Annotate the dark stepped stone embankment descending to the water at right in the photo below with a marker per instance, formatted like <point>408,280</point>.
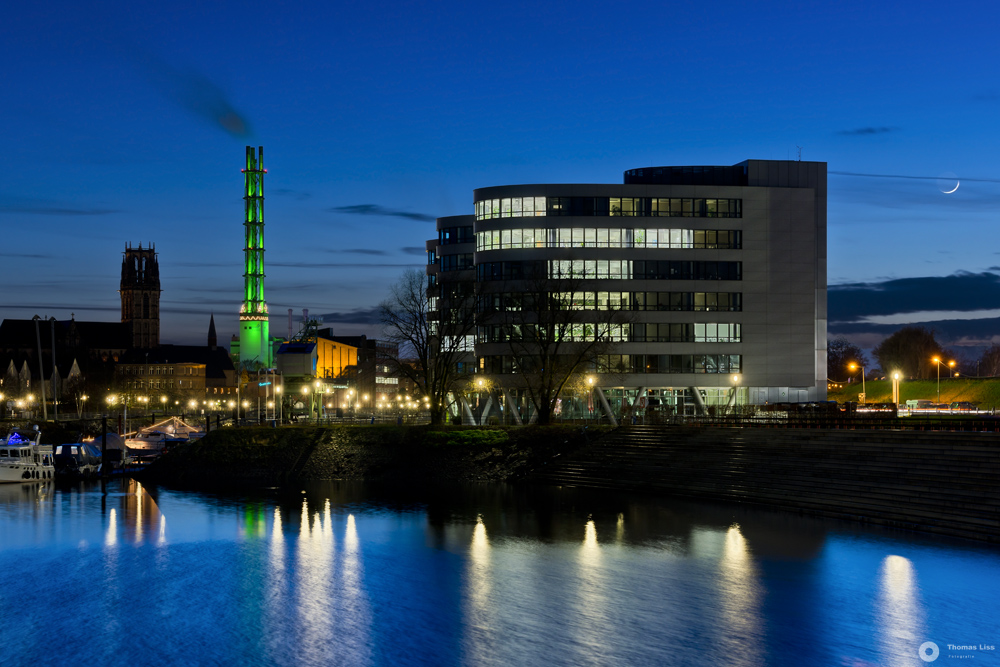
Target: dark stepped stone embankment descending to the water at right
<point>939,482</point>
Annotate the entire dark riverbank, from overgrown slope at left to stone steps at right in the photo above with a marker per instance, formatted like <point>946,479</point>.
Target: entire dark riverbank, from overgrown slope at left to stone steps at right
<point>937,482</point>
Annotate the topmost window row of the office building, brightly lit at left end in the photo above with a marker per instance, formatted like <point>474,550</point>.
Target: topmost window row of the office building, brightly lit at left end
<point>672,207</point>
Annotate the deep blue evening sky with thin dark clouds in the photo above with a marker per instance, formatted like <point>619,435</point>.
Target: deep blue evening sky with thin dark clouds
<point>112,133</point>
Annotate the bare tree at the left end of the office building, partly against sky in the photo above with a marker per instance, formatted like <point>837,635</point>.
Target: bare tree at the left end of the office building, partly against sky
<point>431,344</point>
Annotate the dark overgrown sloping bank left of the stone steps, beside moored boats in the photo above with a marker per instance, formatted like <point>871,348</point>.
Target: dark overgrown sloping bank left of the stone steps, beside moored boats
<point>240,457</point>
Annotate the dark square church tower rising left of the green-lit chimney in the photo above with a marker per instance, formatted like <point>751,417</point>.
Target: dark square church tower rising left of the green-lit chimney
<point>140,293</point>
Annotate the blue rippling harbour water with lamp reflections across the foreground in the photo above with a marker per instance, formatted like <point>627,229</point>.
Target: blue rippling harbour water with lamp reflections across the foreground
<point>355,574</point>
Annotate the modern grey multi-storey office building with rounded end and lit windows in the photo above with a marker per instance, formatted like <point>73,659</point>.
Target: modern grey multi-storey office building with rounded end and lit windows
<point>699,286</point>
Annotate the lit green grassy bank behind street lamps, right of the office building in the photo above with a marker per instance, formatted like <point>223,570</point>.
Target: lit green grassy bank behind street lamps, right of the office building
<point>984,392</point>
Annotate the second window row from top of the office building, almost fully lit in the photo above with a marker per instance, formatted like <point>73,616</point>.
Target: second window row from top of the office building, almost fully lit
<point>584,237</point>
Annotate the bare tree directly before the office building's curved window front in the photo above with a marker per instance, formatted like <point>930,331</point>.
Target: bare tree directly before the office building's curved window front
<point>553,332</point>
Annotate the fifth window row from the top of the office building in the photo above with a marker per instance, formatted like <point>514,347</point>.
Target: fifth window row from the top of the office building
<point>709,332</point>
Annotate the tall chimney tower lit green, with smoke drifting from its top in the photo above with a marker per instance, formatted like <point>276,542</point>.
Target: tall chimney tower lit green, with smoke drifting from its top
<point>255,348</point>
